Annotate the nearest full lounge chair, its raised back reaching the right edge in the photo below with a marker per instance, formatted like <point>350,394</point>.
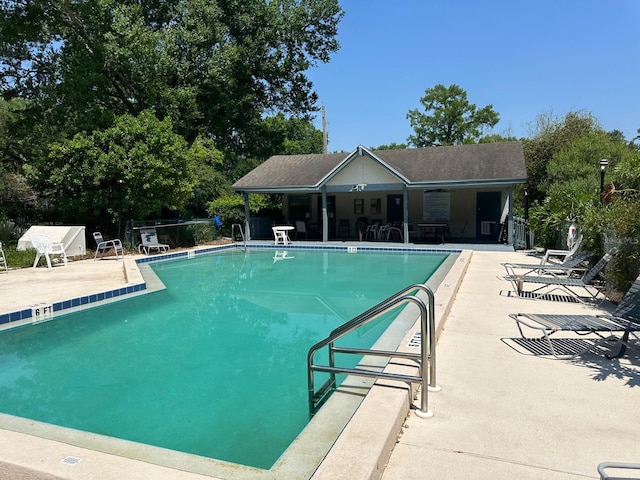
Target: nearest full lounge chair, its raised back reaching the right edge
<point>625,319</point>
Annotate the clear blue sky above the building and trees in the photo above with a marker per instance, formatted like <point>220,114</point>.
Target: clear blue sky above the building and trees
<point>525,58</point>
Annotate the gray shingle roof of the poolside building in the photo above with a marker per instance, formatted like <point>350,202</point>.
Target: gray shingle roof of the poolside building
<point>487,163</point>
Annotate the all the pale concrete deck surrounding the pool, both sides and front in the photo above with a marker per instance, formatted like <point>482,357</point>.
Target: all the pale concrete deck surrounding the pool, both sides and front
<point>502,412</point>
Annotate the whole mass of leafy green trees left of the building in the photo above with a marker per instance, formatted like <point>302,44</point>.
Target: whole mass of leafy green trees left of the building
<point>80,80</point>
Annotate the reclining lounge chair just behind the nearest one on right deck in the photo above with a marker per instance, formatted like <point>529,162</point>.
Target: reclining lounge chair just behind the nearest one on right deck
<point>568,284</point>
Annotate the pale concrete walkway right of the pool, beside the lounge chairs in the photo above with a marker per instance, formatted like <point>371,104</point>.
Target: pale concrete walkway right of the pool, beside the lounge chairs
<point>506,414</point>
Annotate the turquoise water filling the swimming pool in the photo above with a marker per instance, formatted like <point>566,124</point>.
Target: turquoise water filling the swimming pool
<point>215,365</point>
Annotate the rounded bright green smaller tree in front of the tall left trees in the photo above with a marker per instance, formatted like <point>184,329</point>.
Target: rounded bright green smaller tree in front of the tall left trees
<point>132,170</point>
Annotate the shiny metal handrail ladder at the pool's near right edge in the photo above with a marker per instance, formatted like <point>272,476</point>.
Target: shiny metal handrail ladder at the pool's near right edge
<point>426,359</point>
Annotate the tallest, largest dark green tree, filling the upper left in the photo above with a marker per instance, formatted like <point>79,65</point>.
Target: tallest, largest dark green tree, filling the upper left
<point>212,67</point>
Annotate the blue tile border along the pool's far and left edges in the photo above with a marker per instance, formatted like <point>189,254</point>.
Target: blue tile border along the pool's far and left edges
<point>87,300</point>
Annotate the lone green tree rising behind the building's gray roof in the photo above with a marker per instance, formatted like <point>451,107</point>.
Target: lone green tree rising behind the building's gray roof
<point>449,118</point>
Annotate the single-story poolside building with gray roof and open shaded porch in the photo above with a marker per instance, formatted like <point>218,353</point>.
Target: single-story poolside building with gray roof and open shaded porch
<point>458,193</point>
